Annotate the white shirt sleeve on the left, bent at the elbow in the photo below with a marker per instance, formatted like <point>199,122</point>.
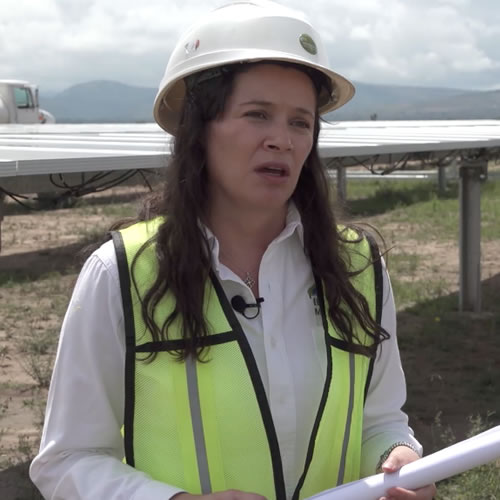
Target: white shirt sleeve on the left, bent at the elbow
<point>81,450</point>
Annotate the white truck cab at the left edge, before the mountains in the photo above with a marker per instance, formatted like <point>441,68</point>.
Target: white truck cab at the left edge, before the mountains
<point>19,103</point>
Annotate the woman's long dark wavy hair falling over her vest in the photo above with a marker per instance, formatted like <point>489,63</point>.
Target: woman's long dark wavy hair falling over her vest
<point>182,250</point>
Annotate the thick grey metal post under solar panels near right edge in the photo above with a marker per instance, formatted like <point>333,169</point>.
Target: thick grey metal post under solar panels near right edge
<point>471,176</point>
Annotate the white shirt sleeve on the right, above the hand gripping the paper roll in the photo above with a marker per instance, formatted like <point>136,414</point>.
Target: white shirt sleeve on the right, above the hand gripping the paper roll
<point>384,421</point>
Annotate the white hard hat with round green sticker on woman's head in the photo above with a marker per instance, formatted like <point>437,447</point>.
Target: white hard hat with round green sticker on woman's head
<point>244,32</point>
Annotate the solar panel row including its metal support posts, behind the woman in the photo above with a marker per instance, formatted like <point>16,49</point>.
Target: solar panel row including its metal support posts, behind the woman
<point>29,151</point>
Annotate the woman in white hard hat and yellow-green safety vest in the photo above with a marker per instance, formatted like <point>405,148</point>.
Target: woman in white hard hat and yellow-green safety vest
<point>257,337</point>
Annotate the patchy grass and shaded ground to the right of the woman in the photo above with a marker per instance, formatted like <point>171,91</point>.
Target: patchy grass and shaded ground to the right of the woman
<point>413,217</point>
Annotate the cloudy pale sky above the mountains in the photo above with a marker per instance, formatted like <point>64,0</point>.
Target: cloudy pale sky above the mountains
<point>433,43</point>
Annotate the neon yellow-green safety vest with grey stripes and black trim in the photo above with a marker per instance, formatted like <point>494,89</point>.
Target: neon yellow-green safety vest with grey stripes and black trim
<point>207,426</point>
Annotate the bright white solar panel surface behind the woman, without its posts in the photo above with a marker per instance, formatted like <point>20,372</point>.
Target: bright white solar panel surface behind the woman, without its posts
<point>32,146</point>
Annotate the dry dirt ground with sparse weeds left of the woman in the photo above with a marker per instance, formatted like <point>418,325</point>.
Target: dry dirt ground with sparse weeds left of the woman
<point>36,244</point>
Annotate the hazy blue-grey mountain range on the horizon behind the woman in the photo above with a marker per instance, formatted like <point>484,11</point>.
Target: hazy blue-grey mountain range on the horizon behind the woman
<point>109,101</point>
